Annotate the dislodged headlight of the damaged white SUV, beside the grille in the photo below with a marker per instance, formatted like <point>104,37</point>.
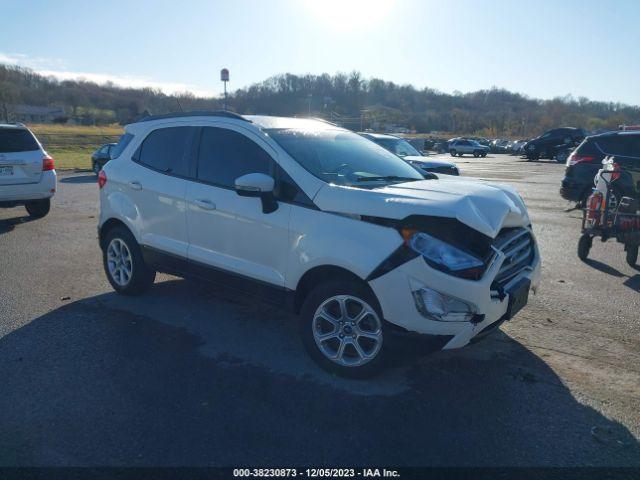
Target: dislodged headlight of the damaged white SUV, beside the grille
<point>446,257</point>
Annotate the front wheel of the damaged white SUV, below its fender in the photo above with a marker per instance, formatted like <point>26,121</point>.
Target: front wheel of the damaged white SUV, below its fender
<point>342,329</point>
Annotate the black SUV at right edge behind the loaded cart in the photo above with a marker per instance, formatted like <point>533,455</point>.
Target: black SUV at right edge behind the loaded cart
<point>586,160</point>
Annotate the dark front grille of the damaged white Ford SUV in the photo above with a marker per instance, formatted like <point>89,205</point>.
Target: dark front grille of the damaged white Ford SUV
<point>517,246</point>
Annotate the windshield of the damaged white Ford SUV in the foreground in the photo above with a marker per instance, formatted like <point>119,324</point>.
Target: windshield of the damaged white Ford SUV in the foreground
<point>343,158</point>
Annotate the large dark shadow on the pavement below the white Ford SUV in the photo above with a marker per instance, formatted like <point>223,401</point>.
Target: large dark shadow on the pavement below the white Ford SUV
<point>188,375</point>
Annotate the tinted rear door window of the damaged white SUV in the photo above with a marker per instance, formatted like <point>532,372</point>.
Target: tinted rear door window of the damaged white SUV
<point>165,150</point>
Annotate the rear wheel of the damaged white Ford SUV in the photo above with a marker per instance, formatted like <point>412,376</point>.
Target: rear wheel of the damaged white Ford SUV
<point>124,265</point>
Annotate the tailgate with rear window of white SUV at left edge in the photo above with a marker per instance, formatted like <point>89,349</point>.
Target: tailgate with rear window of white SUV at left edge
<point>20,157</point>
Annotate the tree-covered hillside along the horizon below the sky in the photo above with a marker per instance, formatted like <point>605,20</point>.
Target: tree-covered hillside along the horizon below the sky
<point>350,100</point>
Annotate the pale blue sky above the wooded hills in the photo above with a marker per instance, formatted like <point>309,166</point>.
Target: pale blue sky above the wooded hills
<point>539,48</point>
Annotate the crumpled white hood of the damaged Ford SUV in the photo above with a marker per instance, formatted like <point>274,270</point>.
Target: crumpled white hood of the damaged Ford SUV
<point>482,206</point>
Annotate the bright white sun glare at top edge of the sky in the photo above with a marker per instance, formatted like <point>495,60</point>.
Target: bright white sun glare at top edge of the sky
<point>350,14</point>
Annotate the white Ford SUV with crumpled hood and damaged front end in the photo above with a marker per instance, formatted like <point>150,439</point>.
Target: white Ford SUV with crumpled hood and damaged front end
<point>320,220</point>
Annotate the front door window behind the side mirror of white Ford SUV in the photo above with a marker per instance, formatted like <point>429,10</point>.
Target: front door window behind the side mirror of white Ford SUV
<point>225,155</point>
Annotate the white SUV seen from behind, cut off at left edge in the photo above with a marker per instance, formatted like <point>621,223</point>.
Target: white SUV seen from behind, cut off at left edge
<point>27,172</point>
